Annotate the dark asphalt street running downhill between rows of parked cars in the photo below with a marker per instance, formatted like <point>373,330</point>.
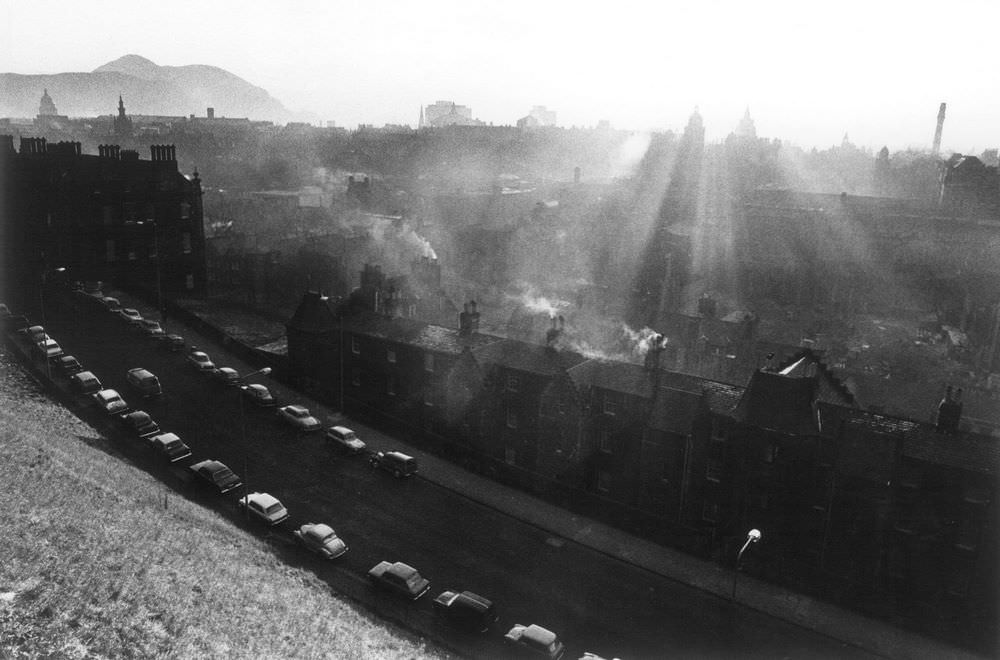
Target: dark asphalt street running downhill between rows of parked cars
<point>593,602</point>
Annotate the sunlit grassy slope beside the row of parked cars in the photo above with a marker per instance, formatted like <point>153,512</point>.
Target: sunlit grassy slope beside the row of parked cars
<point>93,566</point>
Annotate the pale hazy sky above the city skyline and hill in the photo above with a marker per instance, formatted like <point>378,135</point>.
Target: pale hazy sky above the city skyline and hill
<point>809,71</point>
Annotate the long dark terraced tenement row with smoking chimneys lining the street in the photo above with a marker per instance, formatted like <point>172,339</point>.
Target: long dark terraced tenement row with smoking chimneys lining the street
<point>886,514</point>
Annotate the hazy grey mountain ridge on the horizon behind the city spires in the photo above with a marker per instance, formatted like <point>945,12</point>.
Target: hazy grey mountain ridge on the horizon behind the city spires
<point>147,89</point>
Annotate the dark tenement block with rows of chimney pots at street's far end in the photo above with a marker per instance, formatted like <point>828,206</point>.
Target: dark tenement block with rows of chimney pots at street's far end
<point>108,217</point>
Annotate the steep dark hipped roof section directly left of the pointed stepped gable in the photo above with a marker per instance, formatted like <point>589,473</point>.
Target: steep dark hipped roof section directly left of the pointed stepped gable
<point>780,403</point>
